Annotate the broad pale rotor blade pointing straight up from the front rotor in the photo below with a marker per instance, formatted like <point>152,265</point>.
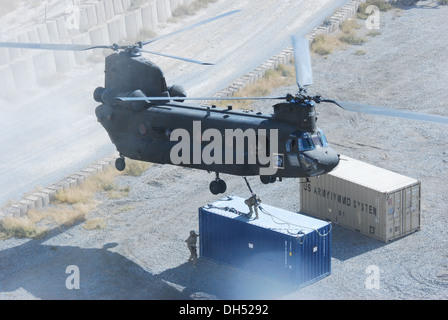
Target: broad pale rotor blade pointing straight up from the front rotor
<point>302,61</point>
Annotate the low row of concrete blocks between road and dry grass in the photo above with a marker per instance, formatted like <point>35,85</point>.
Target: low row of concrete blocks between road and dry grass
<point>44,197</point>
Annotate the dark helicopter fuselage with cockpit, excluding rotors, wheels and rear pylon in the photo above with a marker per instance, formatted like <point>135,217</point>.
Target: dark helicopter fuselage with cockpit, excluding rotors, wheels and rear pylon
<point>238,142</point>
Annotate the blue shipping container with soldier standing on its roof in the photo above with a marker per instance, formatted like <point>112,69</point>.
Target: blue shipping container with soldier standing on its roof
<point>280,244</point>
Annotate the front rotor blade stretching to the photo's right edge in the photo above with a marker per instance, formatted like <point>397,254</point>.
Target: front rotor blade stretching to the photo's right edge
<point>357,107</point>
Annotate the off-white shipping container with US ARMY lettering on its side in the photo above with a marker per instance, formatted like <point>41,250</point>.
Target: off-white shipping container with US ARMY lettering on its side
<point>374,201</point>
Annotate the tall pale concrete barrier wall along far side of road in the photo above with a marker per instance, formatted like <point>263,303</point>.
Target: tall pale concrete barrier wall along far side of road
<point>102,23</point>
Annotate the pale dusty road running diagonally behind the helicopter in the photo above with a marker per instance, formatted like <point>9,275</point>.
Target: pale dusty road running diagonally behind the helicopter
<point>52,132</point>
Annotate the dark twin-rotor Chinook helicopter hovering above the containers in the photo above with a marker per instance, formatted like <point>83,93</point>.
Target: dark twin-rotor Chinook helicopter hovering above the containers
<point>149,121</point>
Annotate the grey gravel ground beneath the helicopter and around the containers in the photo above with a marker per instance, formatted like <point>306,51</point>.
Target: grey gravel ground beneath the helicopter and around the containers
<point>141,253</point>
